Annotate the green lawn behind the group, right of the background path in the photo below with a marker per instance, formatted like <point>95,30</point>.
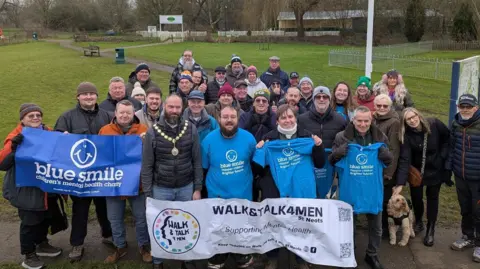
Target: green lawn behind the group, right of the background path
<point>306,59</point>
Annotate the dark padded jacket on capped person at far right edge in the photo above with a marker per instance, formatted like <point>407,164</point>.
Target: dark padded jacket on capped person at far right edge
<point>464,157</point>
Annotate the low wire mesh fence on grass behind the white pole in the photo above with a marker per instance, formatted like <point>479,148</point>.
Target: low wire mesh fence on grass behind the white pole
<point>409,66</point>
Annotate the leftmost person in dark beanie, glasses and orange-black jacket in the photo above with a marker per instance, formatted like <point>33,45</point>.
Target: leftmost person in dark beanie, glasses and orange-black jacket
<point>32,203</point>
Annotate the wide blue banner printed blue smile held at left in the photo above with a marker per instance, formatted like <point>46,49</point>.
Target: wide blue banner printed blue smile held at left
<point>80,165</point>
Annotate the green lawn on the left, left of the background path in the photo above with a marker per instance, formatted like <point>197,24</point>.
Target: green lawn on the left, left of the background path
<point>48,75</point>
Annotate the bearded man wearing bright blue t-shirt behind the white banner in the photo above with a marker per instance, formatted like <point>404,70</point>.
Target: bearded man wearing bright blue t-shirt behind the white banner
<point>226,155</point>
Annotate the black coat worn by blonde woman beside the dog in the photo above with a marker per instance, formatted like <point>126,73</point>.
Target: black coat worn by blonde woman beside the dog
<point>411,152</point>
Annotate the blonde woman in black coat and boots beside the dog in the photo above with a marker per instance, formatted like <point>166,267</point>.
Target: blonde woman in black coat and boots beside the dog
<point>423,137</point>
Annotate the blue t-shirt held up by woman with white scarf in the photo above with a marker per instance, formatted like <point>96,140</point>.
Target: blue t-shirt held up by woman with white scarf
<point>291,166</point>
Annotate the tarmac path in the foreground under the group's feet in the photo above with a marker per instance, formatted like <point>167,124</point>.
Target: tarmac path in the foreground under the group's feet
<point>414,256</point>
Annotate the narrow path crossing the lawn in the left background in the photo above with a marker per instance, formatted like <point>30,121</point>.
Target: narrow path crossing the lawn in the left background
<point>109,53</point>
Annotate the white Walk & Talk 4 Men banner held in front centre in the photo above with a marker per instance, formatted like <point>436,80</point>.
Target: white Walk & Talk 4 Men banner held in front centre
<point>319,231</point>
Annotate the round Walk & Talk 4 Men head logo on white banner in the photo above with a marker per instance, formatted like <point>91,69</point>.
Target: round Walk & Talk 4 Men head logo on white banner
<point>176,231</point>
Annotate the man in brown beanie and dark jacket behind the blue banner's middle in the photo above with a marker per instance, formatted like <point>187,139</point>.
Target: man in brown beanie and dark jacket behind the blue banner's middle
<point>85,118</point>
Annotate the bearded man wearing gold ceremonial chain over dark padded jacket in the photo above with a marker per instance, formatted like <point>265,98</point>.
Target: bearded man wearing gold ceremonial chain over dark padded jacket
<point>172,164</point>
